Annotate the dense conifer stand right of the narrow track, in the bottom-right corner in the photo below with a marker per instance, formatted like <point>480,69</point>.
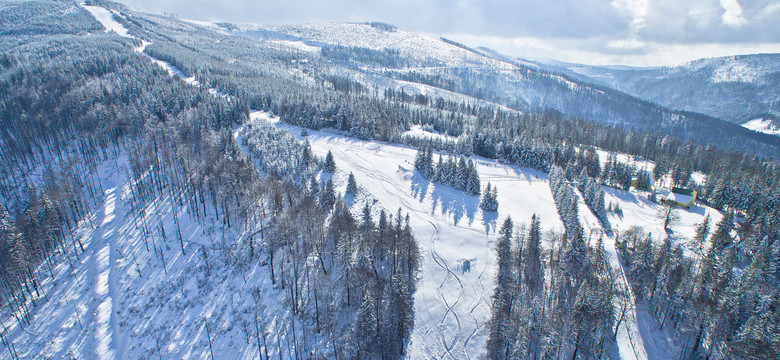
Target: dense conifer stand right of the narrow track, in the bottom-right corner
<point>717,311</point>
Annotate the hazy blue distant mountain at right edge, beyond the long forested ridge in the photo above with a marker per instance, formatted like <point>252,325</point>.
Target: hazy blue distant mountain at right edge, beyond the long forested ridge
<point>738,89</point>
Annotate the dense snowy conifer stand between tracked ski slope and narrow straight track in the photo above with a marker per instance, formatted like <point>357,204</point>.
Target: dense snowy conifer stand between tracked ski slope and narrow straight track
<point>550,305</point>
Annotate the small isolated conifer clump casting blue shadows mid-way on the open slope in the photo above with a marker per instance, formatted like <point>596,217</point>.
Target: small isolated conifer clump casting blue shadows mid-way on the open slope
<point>460,174</point>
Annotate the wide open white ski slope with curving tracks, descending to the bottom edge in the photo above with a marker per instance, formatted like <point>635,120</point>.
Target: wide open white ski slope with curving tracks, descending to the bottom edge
<point>451,307</point>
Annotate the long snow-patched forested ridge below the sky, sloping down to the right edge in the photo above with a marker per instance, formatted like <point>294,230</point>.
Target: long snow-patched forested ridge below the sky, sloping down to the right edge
<point>381,53</point>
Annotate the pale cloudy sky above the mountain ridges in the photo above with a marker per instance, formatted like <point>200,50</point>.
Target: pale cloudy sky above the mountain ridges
<point>628,32</point>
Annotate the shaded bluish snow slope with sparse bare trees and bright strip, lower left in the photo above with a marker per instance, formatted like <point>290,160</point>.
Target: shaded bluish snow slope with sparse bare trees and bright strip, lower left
<point>135,296</point>
